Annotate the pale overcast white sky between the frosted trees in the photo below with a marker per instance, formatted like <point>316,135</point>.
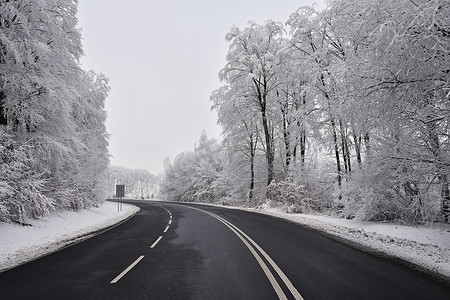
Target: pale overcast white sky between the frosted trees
<point>162,58</point>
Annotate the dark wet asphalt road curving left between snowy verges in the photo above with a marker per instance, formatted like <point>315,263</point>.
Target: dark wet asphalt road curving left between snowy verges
<point>180,251</point>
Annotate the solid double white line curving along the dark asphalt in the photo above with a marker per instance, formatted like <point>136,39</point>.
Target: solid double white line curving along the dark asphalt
<point>247,241</point>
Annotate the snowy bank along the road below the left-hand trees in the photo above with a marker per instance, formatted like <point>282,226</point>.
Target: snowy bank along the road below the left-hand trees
<point>20,244</point>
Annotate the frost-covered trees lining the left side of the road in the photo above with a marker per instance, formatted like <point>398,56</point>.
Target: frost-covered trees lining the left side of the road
<point>53,140</point>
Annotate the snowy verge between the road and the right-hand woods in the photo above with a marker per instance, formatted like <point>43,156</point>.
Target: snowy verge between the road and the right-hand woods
<point>426,246</point>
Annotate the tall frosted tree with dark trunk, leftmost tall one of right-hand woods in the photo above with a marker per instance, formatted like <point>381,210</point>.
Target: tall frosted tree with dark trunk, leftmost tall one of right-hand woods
<point>253,58</point>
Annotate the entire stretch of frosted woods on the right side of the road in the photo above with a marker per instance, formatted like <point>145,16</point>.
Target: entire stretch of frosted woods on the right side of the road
<point>341,111</point>
